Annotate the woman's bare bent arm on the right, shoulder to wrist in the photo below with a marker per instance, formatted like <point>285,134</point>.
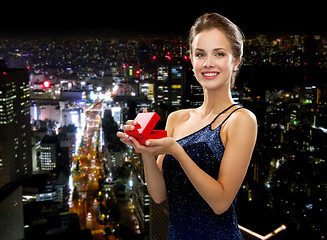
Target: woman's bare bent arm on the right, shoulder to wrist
<point>240,140</point>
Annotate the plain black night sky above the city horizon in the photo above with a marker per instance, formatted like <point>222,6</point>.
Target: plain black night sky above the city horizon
<point>161,17</point>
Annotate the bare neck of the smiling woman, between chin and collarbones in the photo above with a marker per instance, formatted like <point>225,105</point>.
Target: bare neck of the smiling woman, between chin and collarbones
<point>216,101</point>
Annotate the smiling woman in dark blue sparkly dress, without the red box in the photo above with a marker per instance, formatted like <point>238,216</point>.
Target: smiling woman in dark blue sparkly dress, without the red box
<point>204,159</point>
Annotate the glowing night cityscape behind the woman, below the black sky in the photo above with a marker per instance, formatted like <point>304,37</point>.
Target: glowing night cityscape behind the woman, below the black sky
<point>79,92</point>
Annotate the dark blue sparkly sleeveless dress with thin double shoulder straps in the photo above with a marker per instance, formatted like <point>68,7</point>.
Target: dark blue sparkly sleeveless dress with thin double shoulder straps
<point>190,217</point>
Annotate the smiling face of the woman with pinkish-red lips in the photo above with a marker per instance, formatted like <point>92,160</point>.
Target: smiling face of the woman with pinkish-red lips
<point>212,59</point>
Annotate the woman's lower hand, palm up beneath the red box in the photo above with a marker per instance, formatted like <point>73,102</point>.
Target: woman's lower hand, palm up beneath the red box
<point>155,147</point>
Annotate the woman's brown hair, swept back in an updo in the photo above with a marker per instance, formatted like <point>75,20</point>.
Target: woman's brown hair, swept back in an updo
<point>214,20</point>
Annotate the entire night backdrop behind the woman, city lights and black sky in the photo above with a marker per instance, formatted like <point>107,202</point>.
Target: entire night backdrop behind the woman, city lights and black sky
<point>71,75</point>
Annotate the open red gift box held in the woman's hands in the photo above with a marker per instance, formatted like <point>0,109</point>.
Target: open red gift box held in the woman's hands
<point>144,128</point>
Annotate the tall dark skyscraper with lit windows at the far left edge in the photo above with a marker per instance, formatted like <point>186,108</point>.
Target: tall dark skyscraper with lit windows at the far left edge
<point>15,130</point>
